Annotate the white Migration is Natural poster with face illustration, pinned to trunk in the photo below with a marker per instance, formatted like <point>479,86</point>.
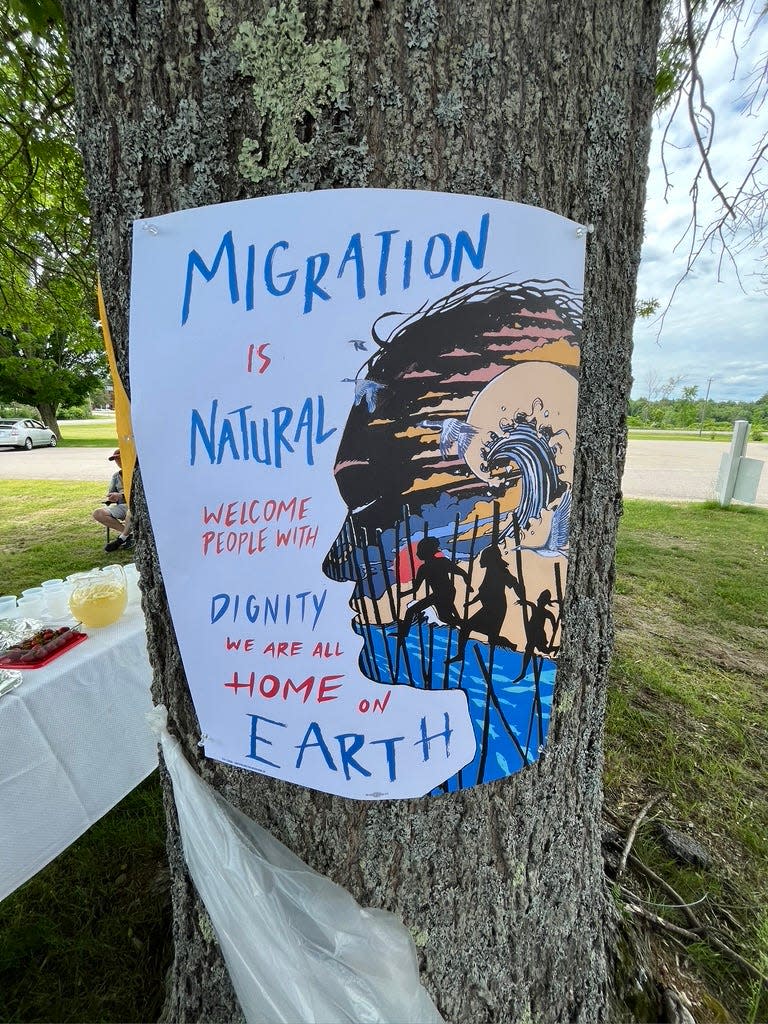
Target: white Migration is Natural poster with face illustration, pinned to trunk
<point>355,414</point>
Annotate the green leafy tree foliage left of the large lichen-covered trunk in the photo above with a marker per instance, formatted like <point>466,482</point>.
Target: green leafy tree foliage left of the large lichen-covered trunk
<point>51,350</point>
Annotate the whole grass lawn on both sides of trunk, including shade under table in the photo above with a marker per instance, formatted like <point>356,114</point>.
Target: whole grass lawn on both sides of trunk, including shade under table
<point>88,938</point>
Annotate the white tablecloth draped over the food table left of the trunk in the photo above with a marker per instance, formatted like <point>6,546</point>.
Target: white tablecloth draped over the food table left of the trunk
<point>73,743</point>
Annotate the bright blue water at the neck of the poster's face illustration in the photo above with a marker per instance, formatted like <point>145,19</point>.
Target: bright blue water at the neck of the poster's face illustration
<point>510,720</point>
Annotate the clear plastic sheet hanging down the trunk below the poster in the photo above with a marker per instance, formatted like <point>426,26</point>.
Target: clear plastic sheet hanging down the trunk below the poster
<point>298,948</point>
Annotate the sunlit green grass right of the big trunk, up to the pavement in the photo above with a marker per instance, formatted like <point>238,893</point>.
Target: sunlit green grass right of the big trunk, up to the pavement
<point>689,718</point>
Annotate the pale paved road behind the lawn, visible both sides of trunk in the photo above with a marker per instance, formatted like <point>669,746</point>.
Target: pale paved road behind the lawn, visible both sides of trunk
<point>664,471</point>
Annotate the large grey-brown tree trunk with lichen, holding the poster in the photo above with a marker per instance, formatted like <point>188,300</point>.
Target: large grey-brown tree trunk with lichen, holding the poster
<point>543,104</point>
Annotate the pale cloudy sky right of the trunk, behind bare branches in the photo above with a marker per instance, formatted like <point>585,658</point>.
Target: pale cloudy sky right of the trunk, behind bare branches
<point>714,329</point>
